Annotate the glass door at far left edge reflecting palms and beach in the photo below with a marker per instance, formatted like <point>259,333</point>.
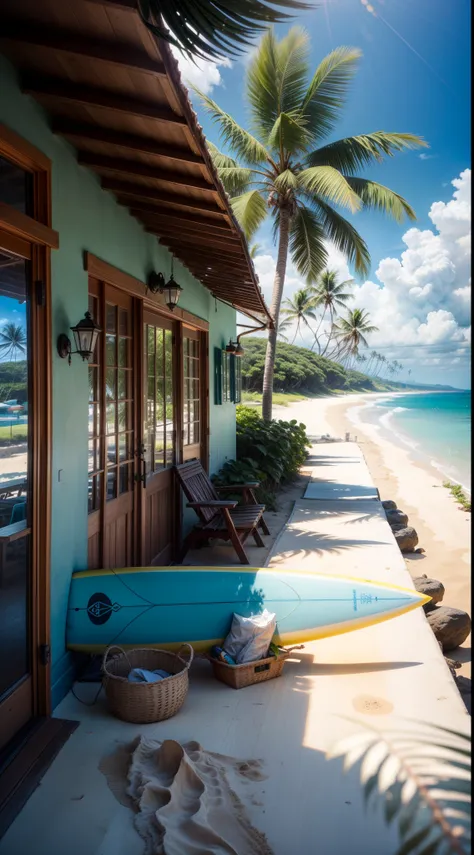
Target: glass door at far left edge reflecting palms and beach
<point>16,583</point>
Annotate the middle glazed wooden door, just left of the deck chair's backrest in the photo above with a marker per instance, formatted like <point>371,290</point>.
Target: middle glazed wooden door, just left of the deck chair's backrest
<point>161,417</point>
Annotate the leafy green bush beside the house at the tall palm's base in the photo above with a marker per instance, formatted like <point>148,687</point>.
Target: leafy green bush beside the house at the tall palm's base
<point>268,452</point>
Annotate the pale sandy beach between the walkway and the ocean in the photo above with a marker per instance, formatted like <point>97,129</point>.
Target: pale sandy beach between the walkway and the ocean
<point>443,528</point>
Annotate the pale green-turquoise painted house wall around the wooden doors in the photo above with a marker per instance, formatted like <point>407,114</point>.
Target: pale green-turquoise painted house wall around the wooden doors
<point>88,218</point>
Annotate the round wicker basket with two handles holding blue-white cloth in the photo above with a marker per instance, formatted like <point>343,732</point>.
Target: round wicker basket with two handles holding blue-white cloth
<point>144,703</point>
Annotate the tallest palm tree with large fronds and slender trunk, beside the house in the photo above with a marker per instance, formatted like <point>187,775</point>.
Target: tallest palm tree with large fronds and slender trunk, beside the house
<point>283,169</point>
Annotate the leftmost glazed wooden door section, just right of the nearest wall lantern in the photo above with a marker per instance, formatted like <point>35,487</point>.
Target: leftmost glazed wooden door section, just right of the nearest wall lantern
<point>112,423</point>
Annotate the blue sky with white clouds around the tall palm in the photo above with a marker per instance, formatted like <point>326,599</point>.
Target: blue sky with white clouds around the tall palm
<point>413,77</point>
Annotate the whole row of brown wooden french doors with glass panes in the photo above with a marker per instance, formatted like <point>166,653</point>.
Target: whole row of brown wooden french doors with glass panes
<point>147,412</point>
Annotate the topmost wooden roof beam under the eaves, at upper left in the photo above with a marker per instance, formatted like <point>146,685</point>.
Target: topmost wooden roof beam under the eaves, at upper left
<point>63,41</point>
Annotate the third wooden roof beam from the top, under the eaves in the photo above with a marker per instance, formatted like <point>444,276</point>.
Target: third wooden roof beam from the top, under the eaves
<point>130,142</point>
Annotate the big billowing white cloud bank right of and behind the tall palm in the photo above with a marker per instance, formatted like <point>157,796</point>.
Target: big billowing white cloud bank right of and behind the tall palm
<point>421,298</point>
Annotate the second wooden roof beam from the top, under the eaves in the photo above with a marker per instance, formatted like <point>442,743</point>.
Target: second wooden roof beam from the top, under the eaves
<point>57,90</point>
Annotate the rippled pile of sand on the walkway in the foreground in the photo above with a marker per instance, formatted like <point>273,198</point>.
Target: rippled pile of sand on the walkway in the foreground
<point>182,798</point>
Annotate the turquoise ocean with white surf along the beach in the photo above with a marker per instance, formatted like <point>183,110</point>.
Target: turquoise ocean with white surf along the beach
<point>435,425</point>
